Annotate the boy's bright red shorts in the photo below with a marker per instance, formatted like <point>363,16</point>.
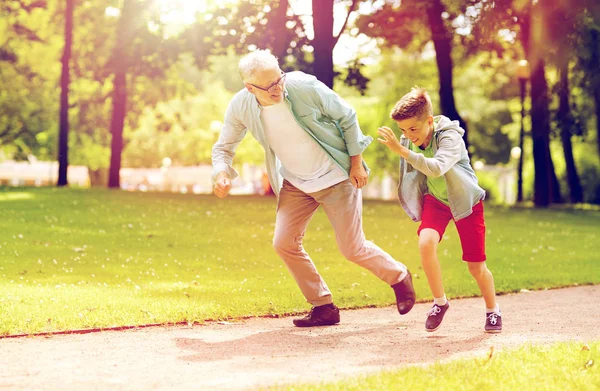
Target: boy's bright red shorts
<point>471,229</point>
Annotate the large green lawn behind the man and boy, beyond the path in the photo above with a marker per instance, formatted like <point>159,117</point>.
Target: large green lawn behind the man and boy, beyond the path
<point>73,258</point>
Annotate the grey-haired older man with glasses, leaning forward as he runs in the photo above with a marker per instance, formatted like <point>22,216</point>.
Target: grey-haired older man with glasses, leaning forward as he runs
<point>313,151</point>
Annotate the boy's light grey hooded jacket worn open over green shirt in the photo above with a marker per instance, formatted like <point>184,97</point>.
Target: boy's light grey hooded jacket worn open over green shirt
<point>451,160</point>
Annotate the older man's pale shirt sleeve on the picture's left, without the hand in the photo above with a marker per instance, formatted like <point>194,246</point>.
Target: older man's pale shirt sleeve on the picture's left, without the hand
<point>232,133</point>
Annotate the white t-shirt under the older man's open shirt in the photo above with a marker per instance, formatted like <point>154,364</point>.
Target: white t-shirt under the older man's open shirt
<point>304,162</point>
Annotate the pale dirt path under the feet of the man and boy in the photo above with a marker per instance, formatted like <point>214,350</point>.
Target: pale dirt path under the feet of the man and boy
<point>264,352</point>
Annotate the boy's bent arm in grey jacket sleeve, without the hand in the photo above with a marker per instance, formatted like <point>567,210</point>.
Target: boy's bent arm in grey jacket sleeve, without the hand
<point>448,154</point>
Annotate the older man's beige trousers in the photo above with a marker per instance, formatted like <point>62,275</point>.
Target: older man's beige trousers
<point>343,205</point>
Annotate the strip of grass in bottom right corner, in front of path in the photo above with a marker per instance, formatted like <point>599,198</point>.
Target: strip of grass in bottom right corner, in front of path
<point>564,366</point>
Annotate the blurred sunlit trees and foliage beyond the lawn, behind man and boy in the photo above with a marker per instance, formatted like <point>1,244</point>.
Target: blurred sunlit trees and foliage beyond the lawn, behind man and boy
<point>130,94</point>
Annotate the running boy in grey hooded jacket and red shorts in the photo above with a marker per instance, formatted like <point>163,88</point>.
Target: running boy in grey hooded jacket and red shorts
<point>437,184</point>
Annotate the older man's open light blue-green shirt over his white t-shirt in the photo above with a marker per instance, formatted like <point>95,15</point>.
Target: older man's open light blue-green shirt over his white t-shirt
<point>318,110</point>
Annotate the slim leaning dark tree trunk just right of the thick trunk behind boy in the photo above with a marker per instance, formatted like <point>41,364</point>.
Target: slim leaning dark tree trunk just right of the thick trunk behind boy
<point>565,120</point>
